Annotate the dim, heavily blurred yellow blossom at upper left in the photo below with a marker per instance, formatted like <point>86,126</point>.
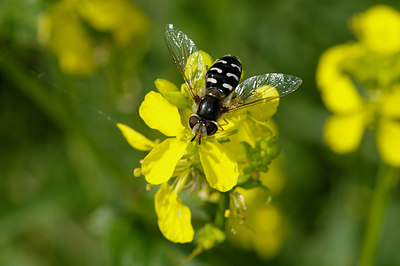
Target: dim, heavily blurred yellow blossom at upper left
<point>64,31</point>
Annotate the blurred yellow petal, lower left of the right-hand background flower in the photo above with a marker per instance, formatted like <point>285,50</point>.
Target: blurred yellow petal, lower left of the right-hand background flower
<point>343,133</point>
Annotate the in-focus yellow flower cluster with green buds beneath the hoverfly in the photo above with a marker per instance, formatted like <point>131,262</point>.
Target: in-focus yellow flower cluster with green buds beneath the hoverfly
<point>207,171</point>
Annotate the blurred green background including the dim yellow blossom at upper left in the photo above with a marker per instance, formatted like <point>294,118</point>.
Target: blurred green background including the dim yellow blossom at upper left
<point>68,196</point>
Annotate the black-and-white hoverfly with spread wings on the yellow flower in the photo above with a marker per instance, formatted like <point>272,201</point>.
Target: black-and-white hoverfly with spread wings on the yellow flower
<point>217,90</point>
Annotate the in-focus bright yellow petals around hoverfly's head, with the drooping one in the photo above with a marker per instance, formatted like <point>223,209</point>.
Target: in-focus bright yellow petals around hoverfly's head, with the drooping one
<point>159,165</point>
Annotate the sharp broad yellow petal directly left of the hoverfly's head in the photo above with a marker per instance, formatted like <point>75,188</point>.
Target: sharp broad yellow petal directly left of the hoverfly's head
<point>159,114</point>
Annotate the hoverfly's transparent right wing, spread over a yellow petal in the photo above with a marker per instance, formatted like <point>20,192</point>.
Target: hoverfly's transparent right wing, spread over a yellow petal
<point>261,89</point>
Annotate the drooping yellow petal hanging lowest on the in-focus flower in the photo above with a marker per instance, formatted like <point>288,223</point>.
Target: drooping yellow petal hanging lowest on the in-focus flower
<point>173,216</point>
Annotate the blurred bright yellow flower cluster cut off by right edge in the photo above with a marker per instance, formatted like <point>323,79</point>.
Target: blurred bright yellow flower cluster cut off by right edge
<point>360,84</point>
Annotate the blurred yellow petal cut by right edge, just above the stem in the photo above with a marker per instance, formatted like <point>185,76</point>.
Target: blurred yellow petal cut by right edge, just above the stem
<point>388,140</point>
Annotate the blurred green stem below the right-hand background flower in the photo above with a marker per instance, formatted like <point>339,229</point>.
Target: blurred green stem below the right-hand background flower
<point>384,183</point>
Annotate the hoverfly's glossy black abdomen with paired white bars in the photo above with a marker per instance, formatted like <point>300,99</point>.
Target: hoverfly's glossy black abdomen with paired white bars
<point>224,75</point>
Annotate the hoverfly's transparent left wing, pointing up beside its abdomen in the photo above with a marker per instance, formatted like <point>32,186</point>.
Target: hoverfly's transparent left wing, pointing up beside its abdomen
<point>187,58</point>
